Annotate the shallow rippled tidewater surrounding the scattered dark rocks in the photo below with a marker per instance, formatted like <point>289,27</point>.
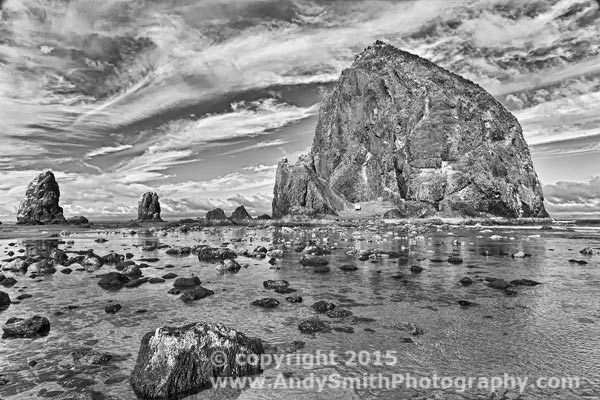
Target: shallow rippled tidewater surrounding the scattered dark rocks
<point>544,331</point>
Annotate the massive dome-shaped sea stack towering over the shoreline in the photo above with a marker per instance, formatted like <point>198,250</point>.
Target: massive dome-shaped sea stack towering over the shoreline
<point>399,128</point>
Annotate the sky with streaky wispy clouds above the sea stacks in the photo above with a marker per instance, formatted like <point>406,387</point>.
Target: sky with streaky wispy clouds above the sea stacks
<point>198,99</point>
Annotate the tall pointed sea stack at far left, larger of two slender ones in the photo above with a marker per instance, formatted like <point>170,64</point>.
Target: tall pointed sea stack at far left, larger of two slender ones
<point>40,205</point>
